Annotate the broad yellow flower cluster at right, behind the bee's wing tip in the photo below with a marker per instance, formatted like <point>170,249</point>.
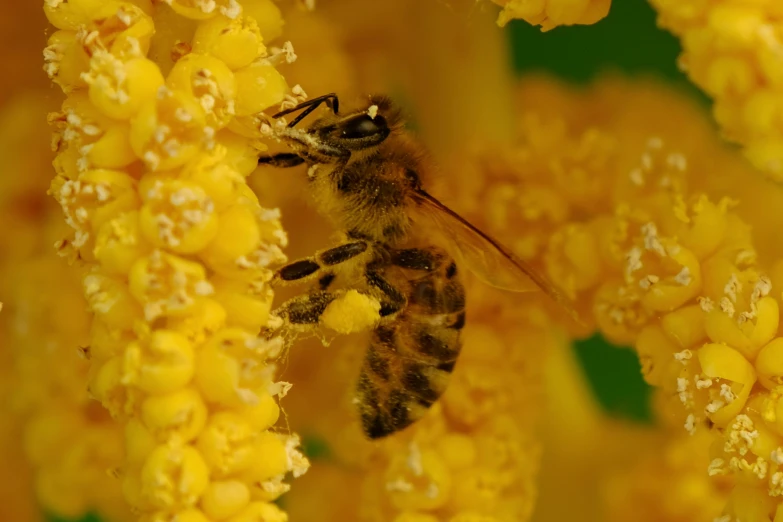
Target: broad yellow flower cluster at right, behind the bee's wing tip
<point>663,263</point>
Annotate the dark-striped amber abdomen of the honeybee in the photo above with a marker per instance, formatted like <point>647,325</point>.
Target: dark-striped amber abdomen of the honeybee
<point>410,359</point>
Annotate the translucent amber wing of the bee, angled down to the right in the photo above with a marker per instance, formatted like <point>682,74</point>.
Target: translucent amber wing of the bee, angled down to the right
<point>486,258</point>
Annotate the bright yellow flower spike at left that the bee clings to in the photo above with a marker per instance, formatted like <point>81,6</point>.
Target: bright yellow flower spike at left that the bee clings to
<point>161,126</point>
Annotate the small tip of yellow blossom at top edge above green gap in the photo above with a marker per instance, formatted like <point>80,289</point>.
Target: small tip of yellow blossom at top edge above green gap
<point>553,13</point>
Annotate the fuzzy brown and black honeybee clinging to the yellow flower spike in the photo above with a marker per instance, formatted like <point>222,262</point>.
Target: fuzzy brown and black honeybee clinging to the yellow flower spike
<point>365,172</point>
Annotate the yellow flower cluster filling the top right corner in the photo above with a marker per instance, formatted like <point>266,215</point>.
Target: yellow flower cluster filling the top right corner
<point>734,51</point>
